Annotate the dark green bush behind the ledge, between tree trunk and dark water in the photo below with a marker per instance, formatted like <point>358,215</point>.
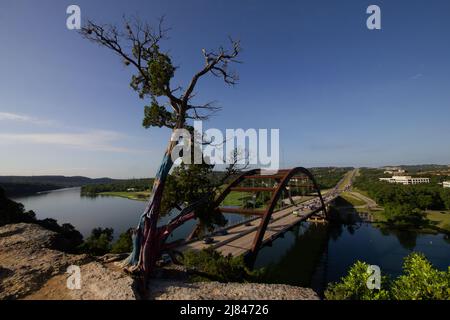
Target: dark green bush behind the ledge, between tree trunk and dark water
<point>212,265</point>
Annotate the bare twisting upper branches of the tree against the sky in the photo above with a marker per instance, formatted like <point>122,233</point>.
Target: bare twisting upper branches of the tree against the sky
<point>136,44</point>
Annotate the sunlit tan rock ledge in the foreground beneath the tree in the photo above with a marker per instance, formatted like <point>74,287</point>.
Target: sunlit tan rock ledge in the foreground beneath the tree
<point>32,267</point>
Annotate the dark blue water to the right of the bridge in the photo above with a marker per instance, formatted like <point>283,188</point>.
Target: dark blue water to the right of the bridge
<point>313,255</point>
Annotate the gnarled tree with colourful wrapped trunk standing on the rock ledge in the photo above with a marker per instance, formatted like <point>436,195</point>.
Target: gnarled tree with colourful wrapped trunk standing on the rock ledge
<point>138,45</point>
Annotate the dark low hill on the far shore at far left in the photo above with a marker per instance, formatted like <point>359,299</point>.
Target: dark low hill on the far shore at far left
<point>25,185</point>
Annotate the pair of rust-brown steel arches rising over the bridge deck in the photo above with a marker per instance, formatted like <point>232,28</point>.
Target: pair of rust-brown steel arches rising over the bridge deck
<point>284,176</point>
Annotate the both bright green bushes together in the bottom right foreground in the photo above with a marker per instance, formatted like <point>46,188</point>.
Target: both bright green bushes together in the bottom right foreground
<point>419,281</point>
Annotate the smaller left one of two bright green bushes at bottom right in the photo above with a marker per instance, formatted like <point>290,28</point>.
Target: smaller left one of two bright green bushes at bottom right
<point>354,286</point>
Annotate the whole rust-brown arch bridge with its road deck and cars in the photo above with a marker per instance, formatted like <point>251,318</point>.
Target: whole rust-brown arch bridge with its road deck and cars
<point>272,204</point>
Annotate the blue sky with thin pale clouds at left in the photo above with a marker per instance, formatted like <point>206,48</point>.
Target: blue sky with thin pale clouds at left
<point>339,93</point>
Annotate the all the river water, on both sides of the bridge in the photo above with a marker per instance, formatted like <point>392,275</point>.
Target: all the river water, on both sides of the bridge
<point>309,255</point>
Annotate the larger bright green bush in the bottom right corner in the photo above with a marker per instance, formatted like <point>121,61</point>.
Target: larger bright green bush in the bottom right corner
<point>421,281</point>
